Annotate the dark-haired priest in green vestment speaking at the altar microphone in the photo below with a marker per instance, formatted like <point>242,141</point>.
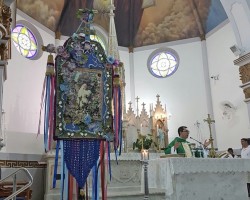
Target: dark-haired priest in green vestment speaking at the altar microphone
<point>179,145</point>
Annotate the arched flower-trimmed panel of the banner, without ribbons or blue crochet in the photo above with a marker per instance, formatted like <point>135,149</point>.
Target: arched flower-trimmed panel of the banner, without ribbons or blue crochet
<point>83,92</point>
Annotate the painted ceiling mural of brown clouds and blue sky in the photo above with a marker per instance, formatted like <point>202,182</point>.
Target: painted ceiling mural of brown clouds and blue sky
<point>138,22</point>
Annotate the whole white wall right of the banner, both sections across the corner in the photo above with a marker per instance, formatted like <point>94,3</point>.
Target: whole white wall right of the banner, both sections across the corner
<point>184,92</point>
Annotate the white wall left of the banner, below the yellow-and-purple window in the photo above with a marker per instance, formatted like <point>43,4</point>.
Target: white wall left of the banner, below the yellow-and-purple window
<point>22,97</point>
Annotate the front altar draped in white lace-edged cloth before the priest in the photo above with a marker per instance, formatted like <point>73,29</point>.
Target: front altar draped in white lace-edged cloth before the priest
<point>199,178</point>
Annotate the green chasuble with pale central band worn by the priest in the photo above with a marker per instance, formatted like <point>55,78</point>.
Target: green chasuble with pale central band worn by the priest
<point>183,147</point>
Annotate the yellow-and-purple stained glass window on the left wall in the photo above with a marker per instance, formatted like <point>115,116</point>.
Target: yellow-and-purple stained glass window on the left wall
<point>25,41</point>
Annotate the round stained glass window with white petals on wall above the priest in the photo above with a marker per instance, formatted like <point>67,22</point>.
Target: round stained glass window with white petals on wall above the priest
<point>163,62</point>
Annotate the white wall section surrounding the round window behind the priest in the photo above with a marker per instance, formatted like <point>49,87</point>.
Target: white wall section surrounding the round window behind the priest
<point>183,92</point>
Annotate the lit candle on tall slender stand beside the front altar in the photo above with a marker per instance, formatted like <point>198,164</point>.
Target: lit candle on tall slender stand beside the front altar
<point>145,158</point>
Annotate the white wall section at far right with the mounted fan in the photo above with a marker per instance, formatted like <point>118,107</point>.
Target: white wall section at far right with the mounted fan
<point>220,59</point>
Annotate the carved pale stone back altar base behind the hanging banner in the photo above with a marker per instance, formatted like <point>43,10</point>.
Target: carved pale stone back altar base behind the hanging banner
<point>126,176</point>
